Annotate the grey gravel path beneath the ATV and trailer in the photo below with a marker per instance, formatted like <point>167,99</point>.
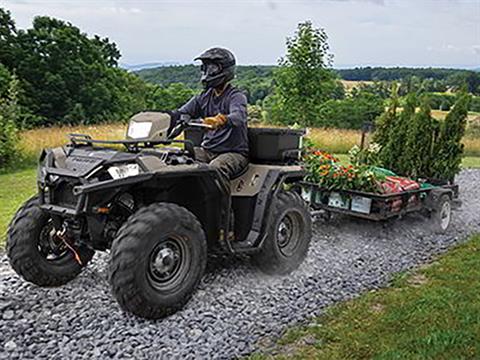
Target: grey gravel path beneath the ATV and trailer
<point>236,310</point>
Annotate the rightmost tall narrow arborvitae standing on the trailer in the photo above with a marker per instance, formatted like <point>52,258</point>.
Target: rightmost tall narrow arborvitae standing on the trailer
<point>448,149</point>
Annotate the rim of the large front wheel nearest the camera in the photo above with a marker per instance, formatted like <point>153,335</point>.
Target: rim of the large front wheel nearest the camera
<point>169,263</point>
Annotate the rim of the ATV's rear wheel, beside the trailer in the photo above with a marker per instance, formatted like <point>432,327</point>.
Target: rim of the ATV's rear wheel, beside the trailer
<point>289,232</point>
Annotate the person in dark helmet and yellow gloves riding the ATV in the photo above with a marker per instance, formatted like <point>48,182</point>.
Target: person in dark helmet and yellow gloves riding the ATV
<point>224,108</point>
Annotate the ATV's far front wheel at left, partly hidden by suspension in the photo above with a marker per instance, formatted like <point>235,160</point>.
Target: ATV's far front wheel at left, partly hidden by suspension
<point>36,253</point>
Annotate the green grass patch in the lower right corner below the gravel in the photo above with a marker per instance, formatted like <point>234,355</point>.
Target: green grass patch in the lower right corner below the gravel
<point>431,313</point>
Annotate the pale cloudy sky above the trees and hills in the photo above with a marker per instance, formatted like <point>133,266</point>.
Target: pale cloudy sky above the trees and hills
<point>361,32</point>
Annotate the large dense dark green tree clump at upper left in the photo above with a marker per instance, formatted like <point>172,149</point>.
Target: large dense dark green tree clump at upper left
<point>67,77</point>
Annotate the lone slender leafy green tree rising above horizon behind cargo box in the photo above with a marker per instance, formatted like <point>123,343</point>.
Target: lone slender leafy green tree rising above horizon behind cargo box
<point>303,79</point>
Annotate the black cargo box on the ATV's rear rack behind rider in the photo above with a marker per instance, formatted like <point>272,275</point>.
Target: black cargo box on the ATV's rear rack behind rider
<point>267,145</point>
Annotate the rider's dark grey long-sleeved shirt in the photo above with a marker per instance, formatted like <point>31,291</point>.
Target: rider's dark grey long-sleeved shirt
<point>233,103</point>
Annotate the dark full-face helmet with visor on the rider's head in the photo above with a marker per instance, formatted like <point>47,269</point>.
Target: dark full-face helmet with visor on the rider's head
<point>218,67</point>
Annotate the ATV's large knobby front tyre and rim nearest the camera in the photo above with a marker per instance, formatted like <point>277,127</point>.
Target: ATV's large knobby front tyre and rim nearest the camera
<point>157,260</point>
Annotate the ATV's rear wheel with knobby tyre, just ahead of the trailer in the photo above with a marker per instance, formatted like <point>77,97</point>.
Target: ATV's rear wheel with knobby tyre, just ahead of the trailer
<point>288,236</point>
